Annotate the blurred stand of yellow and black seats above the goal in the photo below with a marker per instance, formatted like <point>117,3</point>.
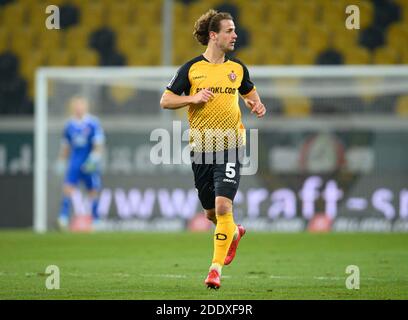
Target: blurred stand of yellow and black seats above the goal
<point>102,32</point>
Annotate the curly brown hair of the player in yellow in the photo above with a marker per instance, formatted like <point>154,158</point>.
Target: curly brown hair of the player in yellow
<point>209,21</point>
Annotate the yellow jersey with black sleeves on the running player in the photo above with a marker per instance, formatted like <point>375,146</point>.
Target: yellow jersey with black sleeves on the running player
<point>215,125</point>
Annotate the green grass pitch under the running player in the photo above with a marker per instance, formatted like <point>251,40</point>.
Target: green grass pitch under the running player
<point>174,266</point>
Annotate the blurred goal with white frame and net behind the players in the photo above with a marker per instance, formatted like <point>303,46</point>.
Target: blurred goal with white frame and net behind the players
<point>330,153</point>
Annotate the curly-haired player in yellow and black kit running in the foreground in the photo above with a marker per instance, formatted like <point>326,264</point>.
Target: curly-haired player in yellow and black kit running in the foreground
<point>212,84</point>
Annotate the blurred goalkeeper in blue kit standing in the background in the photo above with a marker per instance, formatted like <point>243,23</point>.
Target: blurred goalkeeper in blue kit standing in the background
<point>81,155</point>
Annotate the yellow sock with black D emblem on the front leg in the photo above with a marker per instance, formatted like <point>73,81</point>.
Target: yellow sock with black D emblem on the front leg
<point>223,235</point>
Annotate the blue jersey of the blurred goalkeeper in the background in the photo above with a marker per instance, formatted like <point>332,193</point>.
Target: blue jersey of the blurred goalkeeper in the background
<point>81,136</point>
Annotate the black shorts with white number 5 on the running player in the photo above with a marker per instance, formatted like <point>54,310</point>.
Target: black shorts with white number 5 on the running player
<point>216,174</point>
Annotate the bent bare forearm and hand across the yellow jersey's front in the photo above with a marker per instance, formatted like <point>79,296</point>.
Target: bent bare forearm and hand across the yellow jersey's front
<point>174,101</point>
